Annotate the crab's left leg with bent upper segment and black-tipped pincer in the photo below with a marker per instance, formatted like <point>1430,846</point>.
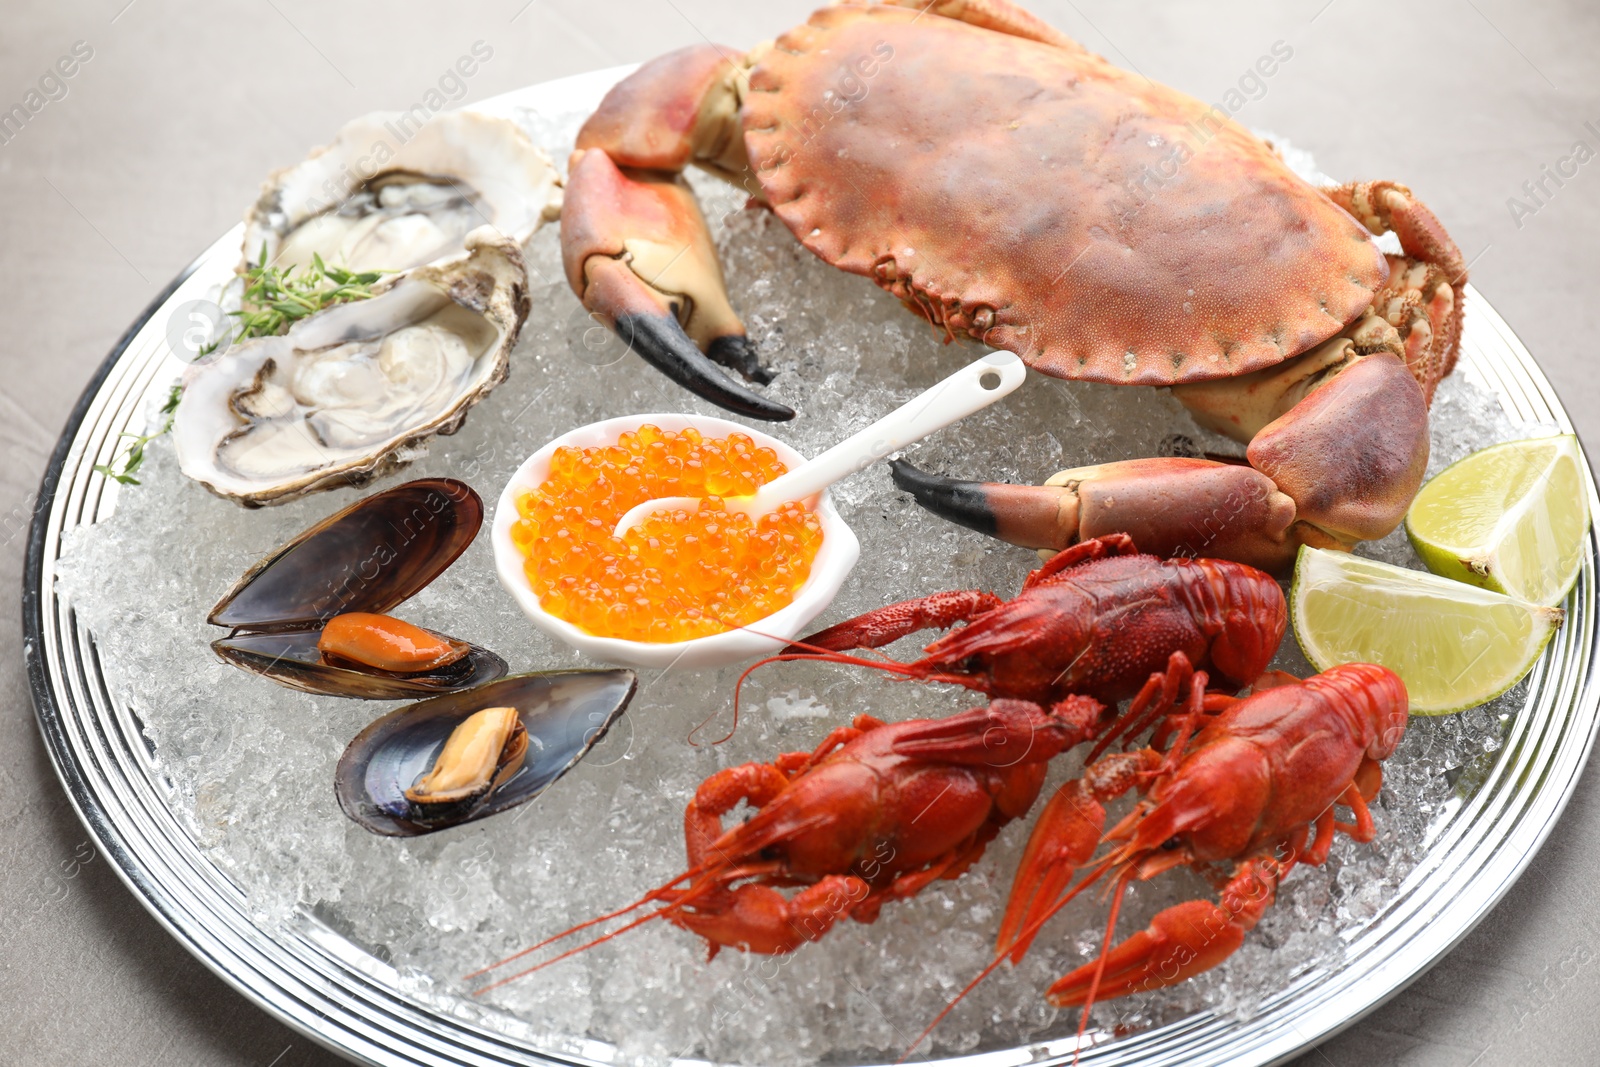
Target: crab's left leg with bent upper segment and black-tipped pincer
<point>634,244</point>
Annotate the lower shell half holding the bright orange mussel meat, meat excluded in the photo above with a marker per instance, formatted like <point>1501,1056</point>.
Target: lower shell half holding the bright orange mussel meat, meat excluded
<point>292,658</point>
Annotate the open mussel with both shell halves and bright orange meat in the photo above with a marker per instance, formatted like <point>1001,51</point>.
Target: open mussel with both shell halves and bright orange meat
<point>314,613</point>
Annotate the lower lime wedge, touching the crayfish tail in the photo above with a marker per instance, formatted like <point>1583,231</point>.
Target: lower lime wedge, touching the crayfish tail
<point>1454,645</point>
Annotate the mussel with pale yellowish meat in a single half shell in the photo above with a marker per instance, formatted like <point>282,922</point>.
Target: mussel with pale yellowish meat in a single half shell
<point>473,754</point>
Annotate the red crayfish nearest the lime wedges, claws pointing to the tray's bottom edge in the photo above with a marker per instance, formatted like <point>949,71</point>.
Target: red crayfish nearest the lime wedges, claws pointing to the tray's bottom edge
<point>1252,781</point>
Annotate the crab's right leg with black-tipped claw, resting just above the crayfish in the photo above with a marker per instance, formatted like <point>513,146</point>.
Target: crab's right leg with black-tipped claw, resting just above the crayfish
<point>1338,466</point>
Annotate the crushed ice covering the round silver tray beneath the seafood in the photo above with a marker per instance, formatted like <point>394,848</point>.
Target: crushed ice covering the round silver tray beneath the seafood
<point>250,764</point>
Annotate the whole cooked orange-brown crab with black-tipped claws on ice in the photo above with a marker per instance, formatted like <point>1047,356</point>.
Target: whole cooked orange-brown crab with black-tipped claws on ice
<point>1015,190</point>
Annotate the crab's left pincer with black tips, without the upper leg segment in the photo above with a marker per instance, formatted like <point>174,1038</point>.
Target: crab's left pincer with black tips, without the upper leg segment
<point>639,255</point>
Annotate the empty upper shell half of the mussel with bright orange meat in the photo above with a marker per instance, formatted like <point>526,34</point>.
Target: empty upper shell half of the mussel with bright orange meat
<point>370,557</point>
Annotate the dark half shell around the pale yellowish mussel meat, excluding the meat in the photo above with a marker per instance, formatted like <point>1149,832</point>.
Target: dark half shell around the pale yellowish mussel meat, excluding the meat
<point>566,714</point>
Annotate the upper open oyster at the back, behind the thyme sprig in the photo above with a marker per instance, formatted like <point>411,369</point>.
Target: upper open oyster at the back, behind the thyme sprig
<point>391,194</point>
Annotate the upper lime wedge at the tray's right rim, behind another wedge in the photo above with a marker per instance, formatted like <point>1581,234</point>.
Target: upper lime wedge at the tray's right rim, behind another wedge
<point>1511,519</point>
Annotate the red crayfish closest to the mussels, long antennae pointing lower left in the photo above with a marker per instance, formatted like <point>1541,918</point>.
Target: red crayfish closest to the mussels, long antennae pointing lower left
<point>876,813</point>
